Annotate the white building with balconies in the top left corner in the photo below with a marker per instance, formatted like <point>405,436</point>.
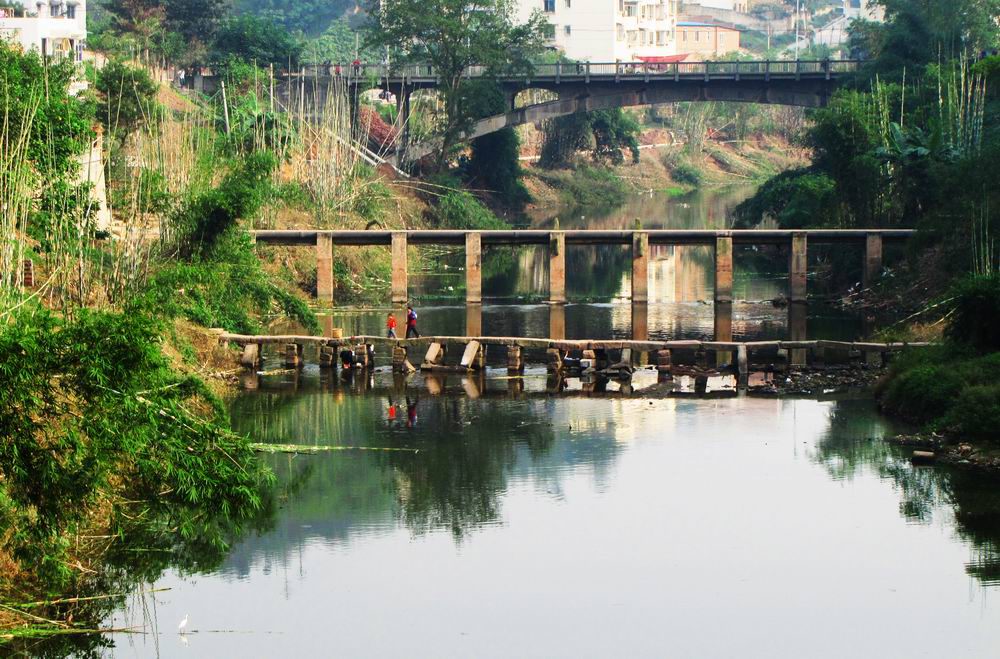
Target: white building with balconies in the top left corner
<point>55,29</point>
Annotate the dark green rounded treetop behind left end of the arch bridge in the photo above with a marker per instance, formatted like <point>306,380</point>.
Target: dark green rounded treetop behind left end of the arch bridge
<point>256,40</point>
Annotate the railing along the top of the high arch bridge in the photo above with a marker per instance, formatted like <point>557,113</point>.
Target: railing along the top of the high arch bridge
<point>604,70</point>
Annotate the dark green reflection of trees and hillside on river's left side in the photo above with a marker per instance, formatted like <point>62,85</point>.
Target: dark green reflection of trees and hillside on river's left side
<point>467,453</point>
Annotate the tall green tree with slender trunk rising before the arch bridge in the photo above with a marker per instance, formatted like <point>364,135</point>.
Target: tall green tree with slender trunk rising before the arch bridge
<point>453,35</point>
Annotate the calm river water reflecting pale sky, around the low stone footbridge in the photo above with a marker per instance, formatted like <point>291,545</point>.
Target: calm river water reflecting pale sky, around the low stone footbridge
<point>488,517</point>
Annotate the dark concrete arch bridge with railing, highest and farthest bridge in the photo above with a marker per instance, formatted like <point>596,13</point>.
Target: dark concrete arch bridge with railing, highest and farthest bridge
<point>580,86</point>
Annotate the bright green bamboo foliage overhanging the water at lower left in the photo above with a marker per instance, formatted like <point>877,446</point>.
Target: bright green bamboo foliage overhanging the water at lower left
<point>90,407</point>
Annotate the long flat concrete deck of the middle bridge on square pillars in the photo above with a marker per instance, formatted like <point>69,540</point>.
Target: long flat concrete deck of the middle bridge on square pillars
<point>578,236</point>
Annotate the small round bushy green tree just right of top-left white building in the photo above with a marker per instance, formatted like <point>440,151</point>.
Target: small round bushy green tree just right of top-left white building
<point>127,98</point>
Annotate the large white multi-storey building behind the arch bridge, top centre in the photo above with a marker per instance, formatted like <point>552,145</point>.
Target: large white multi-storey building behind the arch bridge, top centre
<point>608,30</point>
